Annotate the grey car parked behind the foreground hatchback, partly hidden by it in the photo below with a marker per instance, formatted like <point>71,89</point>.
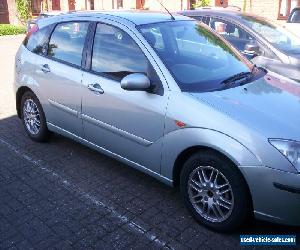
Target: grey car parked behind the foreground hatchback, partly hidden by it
<point>265,43</point>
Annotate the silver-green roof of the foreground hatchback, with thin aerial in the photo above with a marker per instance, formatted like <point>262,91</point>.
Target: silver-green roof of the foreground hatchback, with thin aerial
<point>131,17</point>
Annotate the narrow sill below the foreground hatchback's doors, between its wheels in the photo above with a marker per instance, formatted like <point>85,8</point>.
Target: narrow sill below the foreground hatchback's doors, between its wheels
<point>126,161</point>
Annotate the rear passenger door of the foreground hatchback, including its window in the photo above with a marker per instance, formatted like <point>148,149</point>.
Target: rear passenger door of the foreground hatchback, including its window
<point>62,76</point>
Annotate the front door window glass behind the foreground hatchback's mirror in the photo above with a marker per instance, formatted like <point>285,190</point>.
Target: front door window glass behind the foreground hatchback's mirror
<point>115,53</point>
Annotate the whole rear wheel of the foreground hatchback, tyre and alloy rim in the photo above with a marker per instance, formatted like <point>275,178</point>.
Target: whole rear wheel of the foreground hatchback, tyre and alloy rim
<point>33,117</point>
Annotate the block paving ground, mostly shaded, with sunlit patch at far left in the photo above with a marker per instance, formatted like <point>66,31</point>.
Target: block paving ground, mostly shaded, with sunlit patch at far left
<point>62,195</point>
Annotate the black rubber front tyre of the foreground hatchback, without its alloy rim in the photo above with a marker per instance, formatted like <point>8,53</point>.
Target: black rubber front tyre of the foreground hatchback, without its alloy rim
<point>242,205</point>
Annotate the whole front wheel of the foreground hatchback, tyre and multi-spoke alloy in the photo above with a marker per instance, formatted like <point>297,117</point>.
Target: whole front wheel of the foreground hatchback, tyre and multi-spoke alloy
<point>214,191</point>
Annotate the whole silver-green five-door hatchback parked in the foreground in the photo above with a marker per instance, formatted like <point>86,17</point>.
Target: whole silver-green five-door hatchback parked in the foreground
<point>170,97</point>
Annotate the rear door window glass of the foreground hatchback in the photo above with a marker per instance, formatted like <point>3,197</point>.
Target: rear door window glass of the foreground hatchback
<point>67,42</point>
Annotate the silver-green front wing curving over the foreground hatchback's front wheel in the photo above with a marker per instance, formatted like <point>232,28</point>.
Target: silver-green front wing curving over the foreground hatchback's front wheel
<point>180,144</point>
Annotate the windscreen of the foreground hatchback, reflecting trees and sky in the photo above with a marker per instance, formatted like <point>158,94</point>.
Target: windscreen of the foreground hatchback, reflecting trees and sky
<point>198,59</point>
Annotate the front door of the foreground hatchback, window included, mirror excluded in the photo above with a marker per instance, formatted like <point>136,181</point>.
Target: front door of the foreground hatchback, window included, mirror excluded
<point>127,123</point>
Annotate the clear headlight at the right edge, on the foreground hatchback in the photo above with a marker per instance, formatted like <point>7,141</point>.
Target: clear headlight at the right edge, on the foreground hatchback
<point>290,149</point>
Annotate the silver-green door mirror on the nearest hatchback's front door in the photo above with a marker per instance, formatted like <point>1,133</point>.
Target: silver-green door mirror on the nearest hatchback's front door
<point>136,81</point>
